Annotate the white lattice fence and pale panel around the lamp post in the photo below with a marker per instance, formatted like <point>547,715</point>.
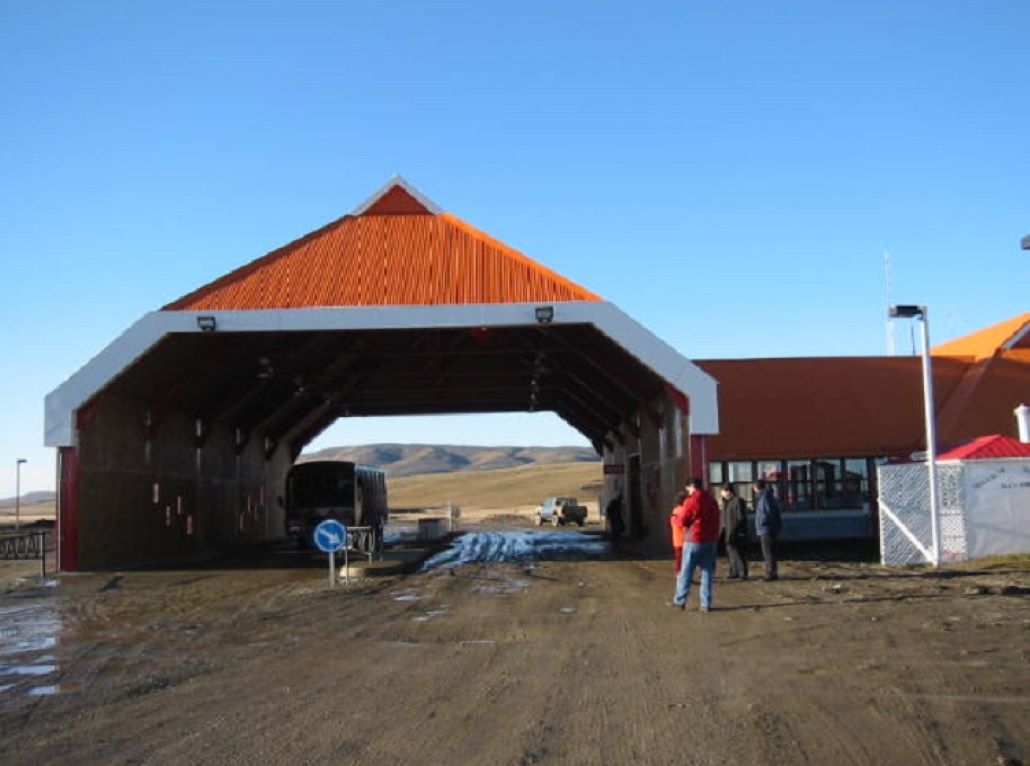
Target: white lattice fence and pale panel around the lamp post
<point>985,510</point>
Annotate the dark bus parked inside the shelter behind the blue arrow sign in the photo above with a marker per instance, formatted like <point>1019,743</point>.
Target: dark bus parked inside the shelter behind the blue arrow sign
<point>354,495</point>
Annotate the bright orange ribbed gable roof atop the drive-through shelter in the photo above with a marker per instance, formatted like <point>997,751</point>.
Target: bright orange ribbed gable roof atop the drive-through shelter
<point>397,253</point>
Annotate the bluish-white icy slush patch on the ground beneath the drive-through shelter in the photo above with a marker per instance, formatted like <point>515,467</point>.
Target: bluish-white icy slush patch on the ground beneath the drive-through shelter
<point>518,546</point>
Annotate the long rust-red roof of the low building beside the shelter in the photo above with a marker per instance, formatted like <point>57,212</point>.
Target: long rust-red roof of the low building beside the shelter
<point>861,406</point>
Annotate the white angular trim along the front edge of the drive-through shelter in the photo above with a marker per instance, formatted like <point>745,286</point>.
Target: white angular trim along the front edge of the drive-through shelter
<point>62,403</point>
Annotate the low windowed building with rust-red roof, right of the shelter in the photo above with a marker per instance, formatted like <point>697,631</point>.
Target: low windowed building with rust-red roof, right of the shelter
<point>816,429</point>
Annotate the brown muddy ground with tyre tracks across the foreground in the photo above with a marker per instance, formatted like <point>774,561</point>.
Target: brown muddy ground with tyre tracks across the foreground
<point>529,663</point>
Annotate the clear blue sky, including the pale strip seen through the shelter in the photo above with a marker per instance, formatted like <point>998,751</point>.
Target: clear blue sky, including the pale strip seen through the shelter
<point>730,173</point>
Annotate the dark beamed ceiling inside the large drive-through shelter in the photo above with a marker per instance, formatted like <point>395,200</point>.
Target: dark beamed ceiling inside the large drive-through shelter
<point>267,384</point>
